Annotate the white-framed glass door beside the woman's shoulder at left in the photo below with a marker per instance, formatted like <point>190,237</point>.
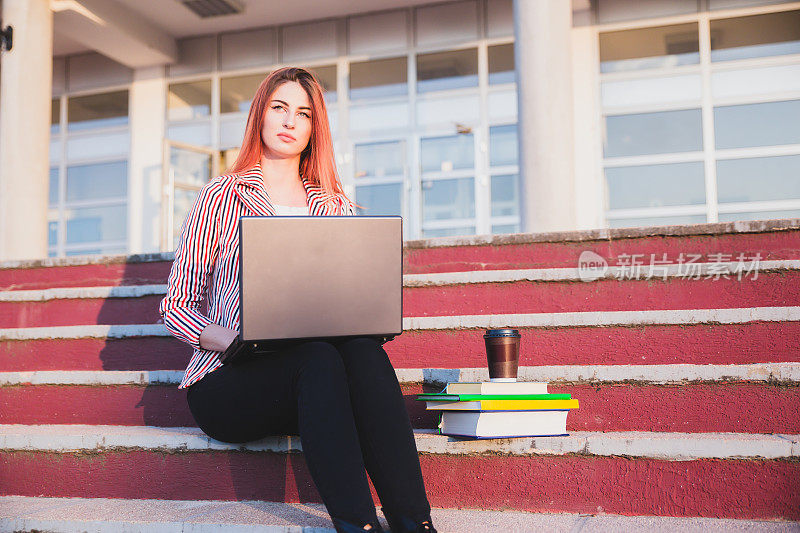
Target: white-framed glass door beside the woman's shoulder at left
<point>186,169</point>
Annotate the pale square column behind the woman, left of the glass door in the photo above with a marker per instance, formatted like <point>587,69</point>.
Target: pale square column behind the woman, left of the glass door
<point>148,123</point>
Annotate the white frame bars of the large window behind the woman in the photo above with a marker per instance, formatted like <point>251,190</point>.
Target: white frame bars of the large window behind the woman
<point>410,134</point>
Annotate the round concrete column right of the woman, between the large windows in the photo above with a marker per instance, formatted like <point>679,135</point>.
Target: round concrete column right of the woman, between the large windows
<point>543,57</point>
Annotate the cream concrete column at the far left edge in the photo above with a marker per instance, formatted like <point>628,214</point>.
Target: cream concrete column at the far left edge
<point>25,96</point>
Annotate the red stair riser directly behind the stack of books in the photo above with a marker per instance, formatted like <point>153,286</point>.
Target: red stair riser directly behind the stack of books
<point>737,407</point>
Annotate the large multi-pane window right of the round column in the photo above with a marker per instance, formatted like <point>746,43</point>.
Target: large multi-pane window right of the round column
<point>657,168</point>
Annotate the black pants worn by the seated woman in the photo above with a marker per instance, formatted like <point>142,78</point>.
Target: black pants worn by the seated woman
<point>344,401</point>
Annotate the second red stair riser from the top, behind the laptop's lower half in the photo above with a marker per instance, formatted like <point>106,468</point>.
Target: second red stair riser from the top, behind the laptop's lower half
<point>768,289</point>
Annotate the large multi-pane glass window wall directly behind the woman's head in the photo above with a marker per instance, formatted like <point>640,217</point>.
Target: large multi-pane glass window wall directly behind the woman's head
<point>412,118</point>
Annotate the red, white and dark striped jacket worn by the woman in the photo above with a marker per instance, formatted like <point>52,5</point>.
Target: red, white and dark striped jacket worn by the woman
<point>207,258</point>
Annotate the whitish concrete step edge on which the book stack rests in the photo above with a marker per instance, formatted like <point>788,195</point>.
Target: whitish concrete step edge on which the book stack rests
<point>670,446</point>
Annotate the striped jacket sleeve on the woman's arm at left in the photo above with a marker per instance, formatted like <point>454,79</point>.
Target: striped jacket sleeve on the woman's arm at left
<point>195,257</point>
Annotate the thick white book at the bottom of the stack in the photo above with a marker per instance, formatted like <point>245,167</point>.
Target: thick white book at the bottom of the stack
<point>497,424</point>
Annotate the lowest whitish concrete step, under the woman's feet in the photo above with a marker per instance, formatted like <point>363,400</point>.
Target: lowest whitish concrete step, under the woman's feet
<point>103,515</point>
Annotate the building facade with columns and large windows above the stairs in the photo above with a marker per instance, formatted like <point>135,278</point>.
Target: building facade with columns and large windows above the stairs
<point>465,117</point>
